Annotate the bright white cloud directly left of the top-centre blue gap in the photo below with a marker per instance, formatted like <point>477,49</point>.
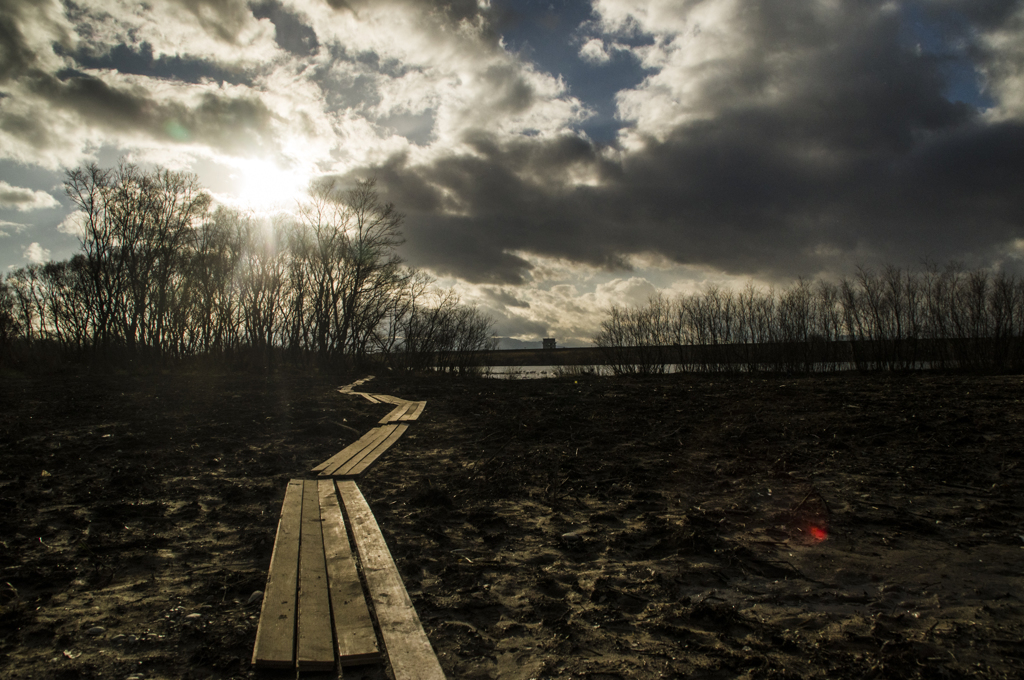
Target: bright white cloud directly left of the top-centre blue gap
<point>457,70</point>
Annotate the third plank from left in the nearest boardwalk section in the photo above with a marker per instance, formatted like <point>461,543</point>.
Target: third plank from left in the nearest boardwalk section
<point>353,625</point>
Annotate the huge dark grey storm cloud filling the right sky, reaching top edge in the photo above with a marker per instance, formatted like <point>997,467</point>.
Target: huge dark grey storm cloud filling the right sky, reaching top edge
<point>858,155</point>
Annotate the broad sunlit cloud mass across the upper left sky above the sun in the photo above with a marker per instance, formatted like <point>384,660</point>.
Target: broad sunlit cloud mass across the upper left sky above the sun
<point>303,83</point>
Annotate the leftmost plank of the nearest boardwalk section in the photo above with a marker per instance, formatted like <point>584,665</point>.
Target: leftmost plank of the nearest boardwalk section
<point>276,634</point>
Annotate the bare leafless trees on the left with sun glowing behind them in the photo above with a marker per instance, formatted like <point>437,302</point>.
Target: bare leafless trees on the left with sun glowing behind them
<point>163,276</point>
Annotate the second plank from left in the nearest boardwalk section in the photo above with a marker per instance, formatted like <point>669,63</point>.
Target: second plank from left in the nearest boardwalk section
<point>315,641</point>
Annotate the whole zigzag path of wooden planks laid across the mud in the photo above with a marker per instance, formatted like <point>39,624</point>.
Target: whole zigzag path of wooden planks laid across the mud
<point>316,614</point>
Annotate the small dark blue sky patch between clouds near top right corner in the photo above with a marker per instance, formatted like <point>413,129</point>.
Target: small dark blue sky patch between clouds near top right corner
<point>948,39</point>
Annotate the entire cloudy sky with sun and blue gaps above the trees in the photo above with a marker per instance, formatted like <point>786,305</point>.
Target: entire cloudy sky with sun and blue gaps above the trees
<point>552,158</point>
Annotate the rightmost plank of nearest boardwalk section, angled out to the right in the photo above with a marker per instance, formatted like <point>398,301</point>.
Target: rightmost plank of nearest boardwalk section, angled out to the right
<point>408,648</point>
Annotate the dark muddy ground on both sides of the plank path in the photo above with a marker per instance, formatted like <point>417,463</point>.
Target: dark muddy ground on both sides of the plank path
<point>845,527</point>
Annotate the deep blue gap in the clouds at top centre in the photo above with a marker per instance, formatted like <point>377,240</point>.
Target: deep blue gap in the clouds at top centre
<point>550,34</point>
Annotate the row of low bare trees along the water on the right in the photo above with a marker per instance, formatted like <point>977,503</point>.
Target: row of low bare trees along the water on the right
<point>948,318</point>
